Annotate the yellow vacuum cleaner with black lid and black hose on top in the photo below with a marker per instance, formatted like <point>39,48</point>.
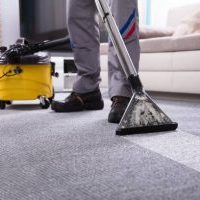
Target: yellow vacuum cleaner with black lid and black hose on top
<point>25,75</point>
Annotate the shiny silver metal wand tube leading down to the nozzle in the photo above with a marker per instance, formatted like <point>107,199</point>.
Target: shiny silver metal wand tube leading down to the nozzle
<point>115,36</point>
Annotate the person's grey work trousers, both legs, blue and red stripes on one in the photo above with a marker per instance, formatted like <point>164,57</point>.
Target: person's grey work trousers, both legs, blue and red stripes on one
<point>83,26</point>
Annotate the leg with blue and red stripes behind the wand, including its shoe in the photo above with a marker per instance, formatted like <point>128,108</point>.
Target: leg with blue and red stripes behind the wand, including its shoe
<point>126,15</point>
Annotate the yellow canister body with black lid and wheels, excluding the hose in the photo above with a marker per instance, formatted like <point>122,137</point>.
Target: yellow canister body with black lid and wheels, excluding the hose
<point>28,80</point>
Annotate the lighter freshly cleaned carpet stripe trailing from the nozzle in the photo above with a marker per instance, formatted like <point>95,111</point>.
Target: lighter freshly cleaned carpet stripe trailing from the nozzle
<point>179,146</point>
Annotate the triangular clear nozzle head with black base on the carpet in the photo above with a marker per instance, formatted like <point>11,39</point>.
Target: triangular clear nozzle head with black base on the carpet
<point>144,116</point>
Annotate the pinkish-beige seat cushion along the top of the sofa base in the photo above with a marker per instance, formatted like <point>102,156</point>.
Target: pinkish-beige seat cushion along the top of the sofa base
<point>171,44</point>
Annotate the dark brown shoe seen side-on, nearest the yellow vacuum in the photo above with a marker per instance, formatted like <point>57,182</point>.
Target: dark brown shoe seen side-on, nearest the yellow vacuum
<point>78,102</point>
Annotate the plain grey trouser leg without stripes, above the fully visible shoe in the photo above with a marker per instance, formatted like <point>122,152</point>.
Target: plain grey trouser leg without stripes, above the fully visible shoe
<point>83,29</point>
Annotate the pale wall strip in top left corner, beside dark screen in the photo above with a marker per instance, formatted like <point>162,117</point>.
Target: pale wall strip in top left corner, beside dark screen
<point>9,11</point>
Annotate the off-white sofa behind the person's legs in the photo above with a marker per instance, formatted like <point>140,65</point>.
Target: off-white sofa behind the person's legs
<point>168,64</point>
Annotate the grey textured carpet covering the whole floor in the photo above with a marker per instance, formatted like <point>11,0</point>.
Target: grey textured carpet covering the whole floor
<point>77,156</point>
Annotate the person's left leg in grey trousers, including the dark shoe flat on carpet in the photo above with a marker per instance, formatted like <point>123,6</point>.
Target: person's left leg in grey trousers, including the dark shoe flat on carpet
<point>83,29</point>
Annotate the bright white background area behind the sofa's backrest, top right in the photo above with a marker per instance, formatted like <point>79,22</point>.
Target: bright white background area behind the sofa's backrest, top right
<point>160,9</point>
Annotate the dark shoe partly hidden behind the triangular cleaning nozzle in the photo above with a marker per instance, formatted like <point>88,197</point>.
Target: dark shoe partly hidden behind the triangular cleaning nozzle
<point>119,104</point>
